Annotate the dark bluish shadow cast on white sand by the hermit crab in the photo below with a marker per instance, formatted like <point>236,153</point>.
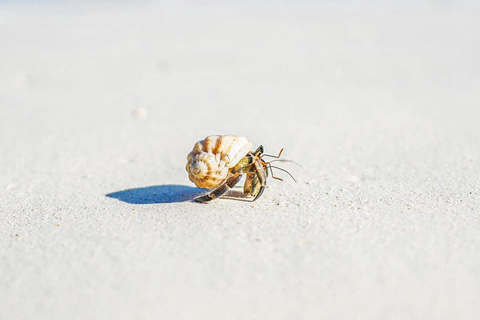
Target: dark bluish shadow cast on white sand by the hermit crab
<point>168,193</point>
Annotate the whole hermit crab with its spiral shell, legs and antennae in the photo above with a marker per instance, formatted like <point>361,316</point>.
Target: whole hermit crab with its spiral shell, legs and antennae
<point>218,163</point>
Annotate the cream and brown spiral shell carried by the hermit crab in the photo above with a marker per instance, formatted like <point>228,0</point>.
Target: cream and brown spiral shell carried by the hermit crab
<point>210,161</point>
